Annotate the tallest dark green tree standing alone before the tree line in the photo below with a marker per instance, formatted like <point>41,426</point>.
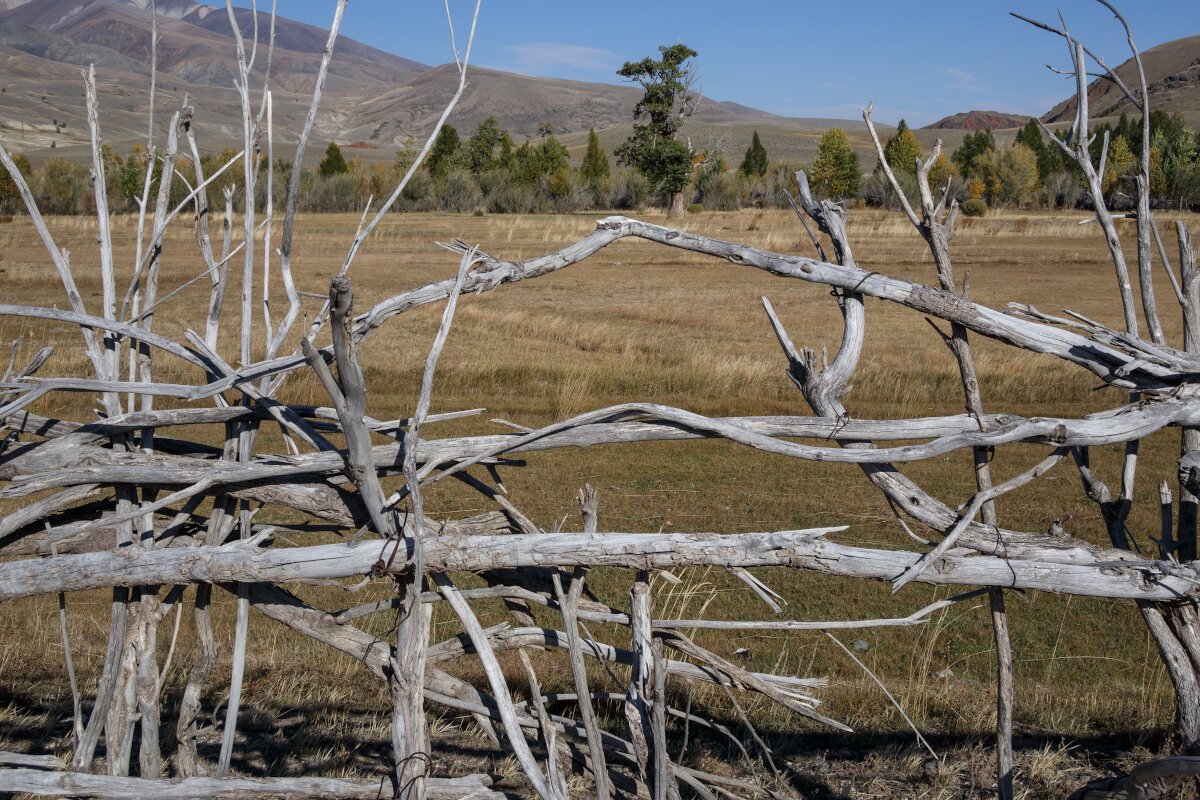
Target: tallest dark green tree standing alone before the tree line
<point>653,149</point>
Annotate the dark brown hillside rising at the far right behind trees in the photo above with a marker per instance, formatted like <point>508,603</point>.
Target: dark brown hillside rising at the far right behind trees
<point>1173,79</point>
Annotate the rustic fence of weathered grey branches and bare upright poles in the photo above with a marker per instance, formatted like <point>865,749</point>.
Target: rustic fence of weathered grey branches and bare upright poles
<point>117,503</point>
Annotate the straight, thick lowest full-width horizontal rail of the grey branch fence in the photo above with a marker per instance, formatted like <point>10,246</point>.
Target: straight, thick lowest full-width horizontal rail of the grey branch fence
<point>803,550</point>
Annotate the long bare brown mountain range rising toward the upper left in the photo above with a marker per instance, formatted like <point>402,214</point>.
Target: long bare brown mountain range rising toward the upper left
<point>373,98</point>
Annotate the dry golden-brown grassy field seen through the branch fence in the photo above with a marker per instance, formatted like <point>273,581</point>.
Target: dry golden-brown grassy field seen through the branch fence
<point>640,322</point>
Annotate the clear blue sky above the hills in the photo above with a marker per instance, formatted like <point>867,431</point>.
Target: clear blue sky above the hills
<point>921,61</point>
